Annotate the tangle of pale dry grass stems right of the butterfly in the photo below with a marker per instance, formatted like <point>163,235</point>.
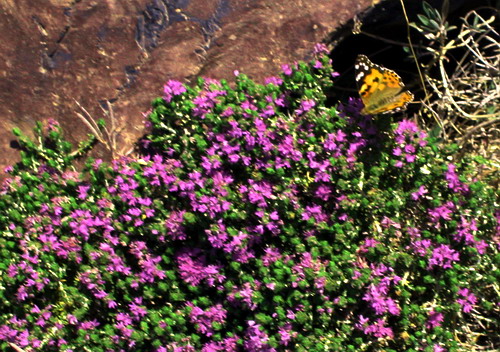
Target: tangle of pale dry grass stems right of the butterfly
<point>462,83</point>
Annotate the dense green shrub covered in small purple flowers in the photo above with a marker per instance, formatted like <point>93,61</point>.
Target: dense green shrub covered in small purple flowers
<point>257,219</point>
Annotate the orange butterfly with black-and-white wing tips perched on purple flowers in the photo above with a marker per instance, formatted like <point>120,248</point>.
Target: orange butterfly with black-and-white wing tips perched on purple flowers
<point>381,89</point>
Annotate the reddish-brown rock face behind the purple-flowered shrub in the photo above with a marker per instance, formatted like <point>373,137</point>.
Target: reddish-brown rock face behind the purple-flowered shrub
<point>56,52</point>
